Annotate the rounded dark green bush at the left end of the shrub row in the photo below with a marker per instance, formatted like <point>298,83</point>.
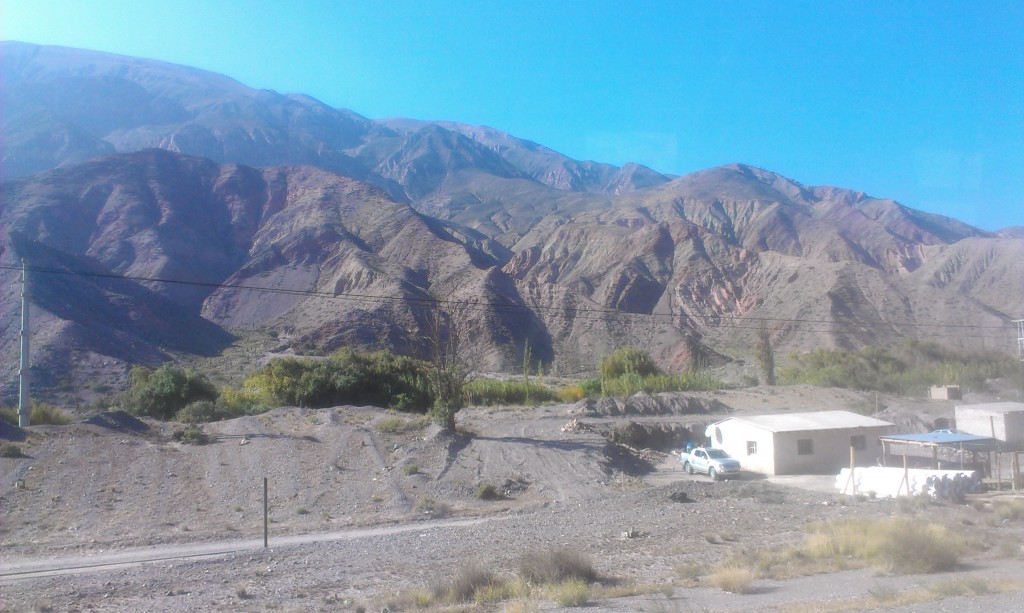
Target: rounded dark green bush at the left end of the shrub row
<point>162,393</point>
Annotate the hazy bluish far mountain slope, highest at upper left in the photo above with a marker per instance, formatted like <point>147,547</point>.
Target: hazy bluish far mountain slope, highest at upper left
<point>104,103</point>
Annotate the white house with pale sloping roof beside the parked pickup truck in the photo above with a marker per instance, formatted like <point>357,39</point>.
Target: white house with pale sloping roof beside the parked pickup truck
<point>800,444</point>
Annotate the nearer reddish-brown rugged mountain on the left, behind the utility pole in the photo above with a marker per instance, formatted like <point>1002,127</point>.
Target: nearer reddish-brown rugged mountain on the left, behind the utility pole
<point>182,227</point>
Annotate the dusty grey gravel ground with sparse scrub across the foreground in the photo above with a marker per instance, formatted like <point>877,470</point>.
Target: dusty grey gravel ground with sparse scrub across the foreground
<point>104,519</point>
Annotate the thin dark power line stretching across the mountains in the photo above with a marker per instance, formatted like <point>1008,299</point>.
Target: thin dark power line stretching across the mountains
<point>591,314</point>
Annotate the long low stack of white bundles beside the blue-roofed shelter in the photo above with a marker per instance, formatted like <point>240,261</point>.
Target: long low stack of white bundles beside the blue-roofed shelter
<point>890,483</point>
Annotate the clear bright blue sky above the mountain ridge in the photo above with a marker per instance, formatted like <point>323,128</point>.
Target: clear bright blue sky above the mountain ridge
<point>923,103</point>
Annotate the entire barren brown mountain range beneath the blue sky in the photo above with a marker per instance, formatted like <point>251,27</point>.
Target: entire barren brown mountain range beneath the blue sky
<point>163,209</point>
